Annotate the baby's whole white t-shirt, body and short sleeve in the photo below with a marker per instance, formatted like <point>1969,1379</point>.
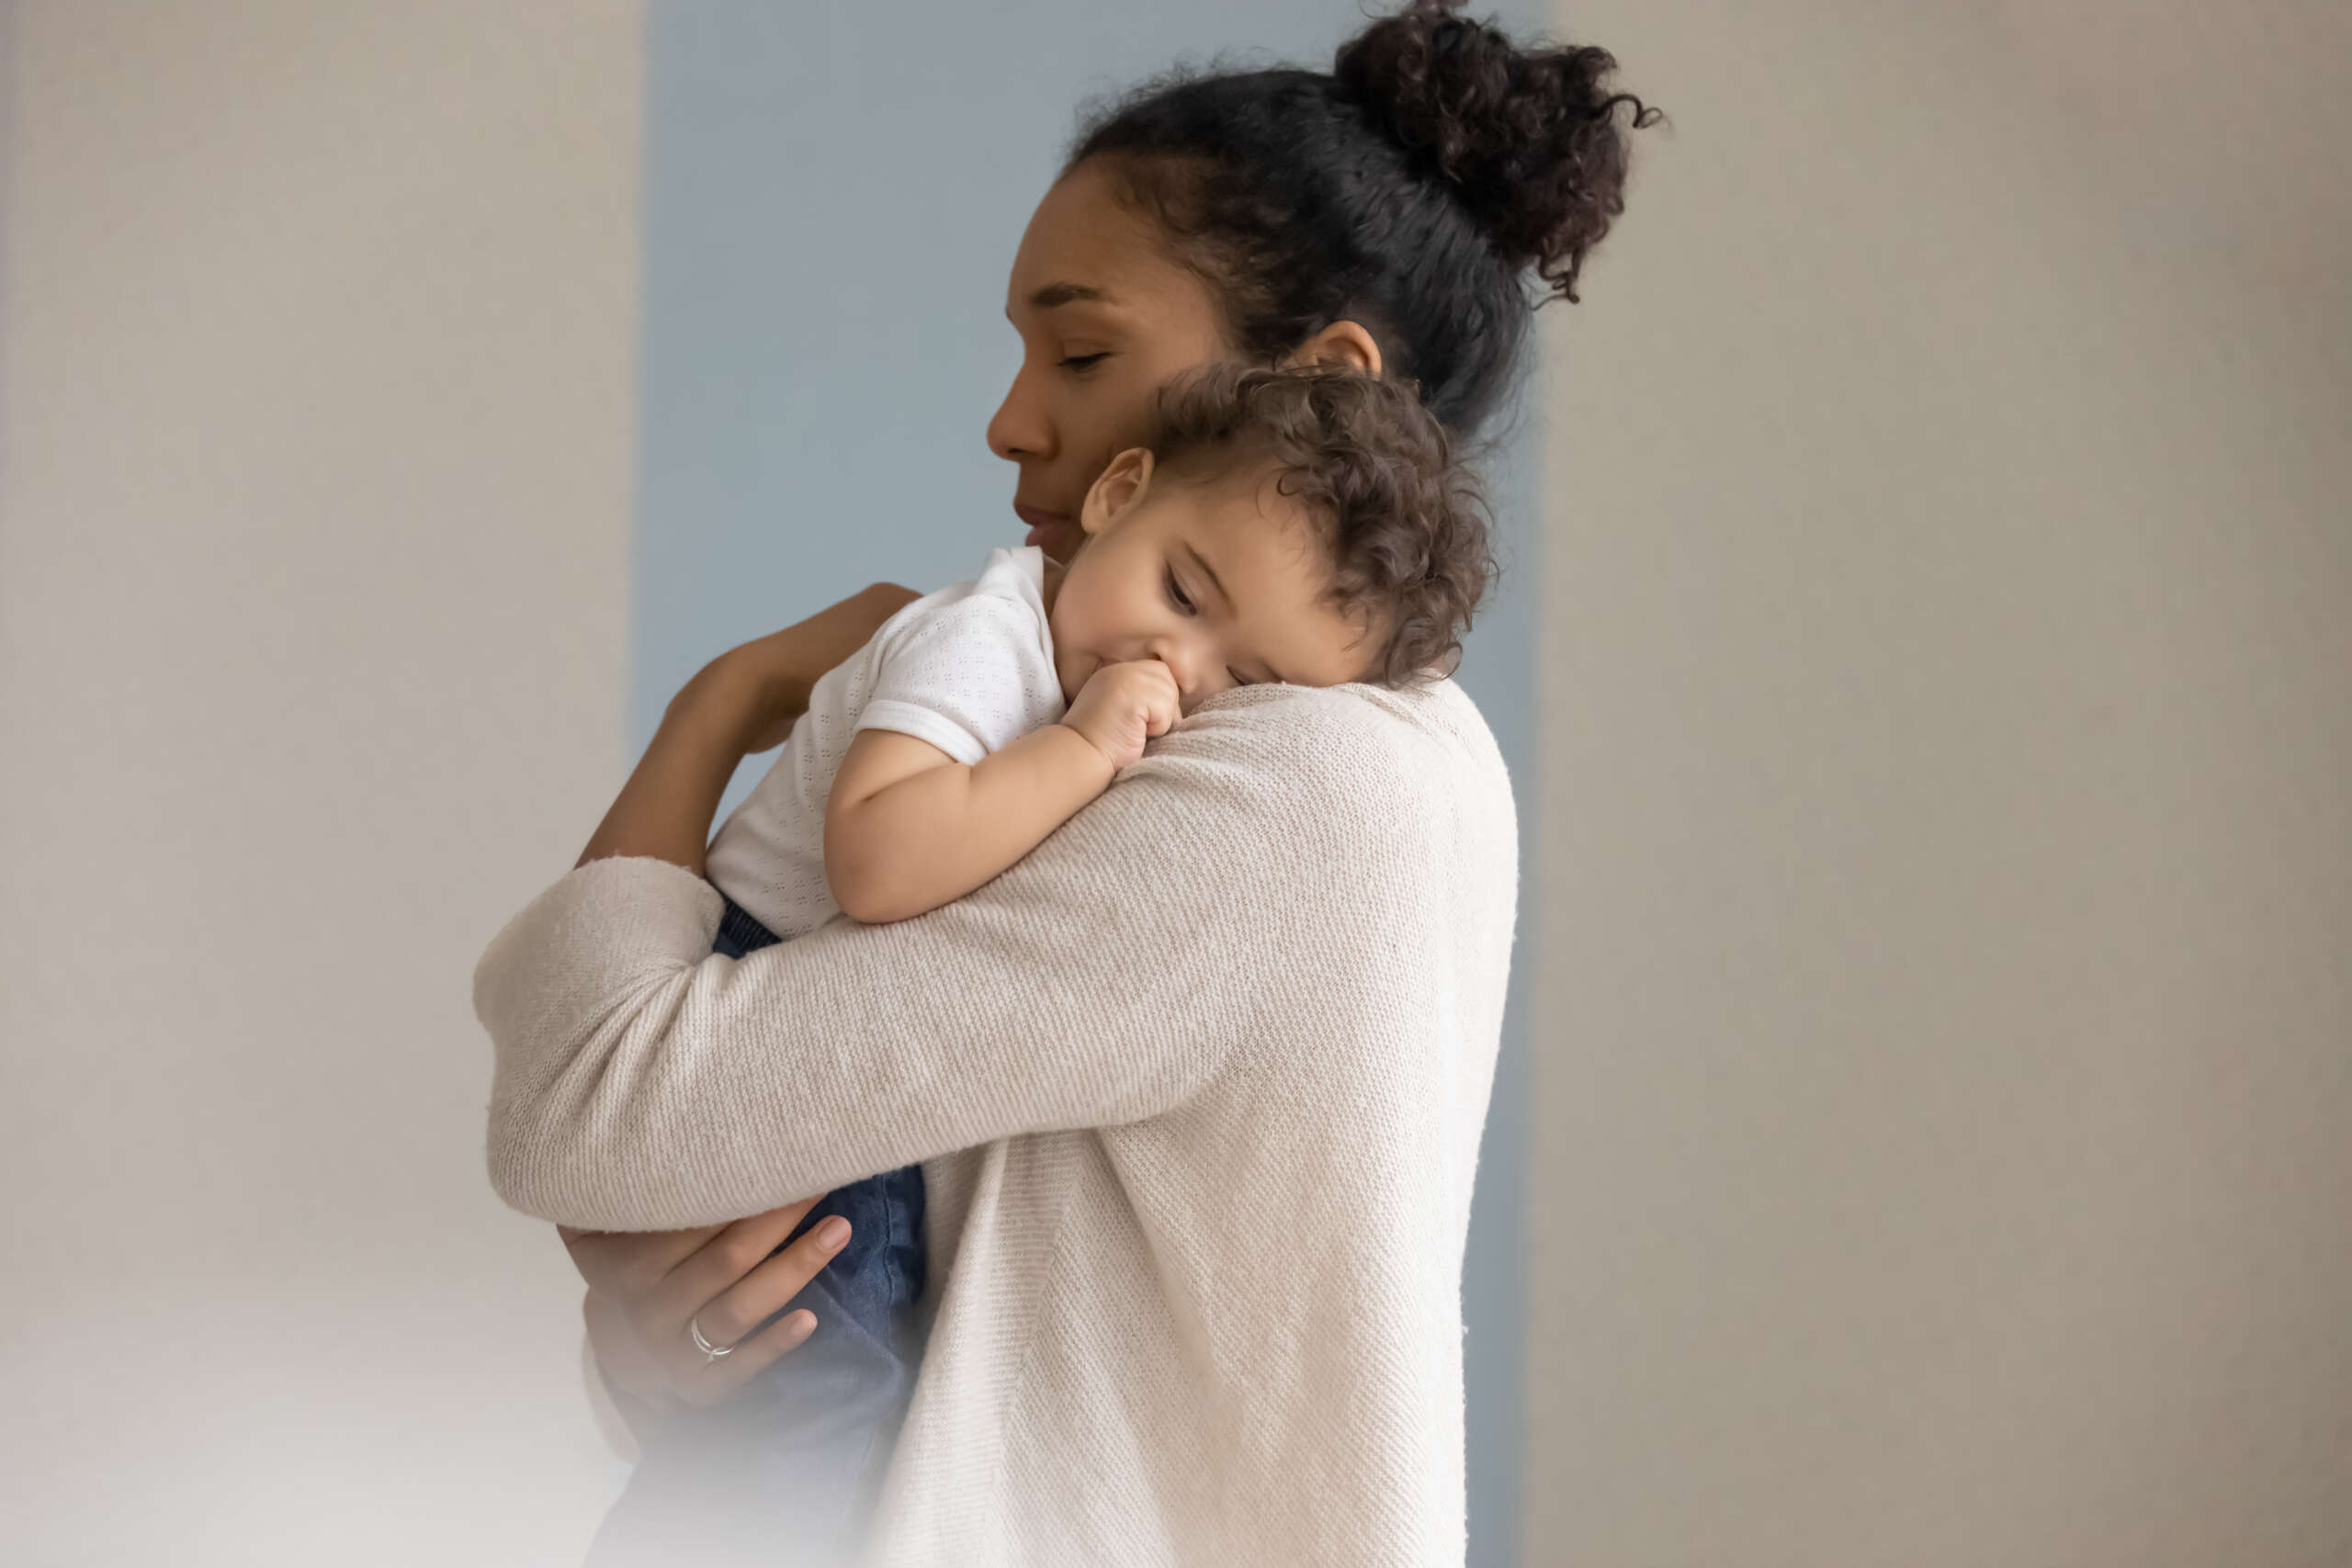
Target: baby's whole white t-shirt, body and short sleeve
<point>968,669</point>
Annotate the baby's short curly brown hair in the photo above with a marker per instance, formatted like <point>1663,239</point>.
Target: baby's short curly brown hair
<point>1403,523</point>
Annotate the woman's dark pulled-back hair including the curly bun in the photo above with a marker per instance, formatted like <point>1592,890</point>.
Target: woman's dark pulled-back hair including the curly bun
<point>1405,192</point>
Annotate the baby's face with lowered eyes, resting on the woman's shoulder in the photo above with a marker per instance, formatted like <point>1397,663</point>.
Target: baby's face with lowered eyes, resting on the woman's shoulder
<point>1222,579</point>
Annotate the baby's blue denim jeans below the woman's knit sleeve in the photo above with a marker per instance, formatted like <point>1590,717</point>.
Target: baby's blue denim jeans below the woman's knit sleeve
<point>787,1470</point>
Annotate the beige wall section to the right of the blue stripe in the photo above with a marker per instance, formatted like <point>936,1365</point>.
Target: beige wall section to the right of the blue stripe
<point>1944,1057</point>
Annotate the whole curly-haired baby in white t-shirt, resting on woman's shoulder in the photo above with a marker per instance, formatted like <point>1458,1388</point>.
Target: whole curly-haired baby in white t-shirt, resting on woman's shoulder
<point>1304,528</point>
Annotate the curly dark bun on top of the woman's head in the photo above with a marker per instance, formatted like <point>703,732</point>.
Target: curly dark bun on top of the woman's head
<point>1528,138</point>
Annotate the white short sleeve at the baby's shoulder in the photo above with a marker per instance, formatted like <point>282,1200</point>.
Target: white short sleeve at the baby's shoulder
<point>970,676</point>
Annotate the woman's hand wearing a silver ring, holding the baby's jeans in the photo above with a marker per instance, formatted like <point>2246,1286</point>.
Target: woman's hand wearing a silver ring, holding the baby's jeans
<point>648,1292</point>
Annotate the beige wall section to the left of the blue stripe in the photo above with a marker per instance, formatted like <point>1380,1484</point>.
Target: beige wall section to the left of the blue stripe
<point>316,333</point>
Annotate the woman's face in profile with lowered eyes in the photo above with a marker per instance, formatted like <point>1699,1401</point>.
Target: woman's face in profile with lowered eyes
<point>1107,319</point>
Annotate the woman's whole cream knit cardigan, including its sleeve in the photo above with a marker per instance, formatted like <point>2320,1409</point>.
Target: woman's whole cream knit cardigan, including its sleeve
<point>1198,1090</point>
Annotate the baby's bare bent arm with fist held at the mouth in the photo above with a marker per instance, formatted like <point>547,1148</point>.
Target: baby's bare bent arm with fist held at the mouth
<point>909,829</point>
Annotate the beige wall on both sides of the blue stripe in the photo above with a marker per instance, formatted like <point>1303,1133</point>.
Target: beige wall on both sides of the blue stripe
<point>1944,1043</point>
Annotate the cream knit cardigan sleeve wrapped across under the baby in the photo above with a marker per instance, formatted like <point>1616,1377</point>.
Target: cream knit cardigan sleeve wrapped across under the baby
<point>643,1083</point>
